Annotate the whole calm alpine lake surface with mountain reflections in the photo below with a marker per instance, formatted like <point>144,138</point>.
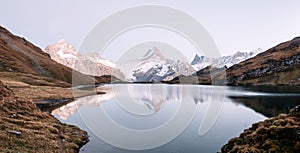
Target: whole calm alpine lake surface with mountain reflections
<point>164,118</point>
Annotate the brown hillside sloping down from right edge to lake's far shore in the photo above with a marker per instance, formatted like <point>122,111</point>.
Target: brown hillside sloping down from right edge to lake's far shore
<point>279,65</point>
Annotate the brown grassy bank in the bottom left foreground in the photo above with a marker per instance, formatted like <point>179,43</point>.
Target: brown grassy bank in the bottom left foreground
<point>24,128</point>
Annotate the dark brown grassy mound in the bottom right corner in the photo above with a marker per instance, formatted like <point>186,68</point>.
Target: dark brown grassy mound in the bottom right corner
<point>277,134</point>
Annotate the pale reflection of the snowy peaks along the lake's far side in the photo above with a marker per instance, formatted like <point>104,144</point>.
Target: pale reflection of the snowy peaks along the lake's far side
<point>151,97</point>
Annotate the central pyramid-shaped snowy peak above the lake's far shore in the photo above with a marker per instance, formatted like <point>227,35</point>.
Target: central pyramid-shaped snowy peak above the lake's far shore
<point>154,67</point>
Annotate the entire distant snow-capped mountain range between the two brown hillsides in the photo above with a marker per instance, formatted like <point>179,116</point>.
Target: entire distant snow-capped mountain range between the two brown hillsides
<point>152,67</point>
